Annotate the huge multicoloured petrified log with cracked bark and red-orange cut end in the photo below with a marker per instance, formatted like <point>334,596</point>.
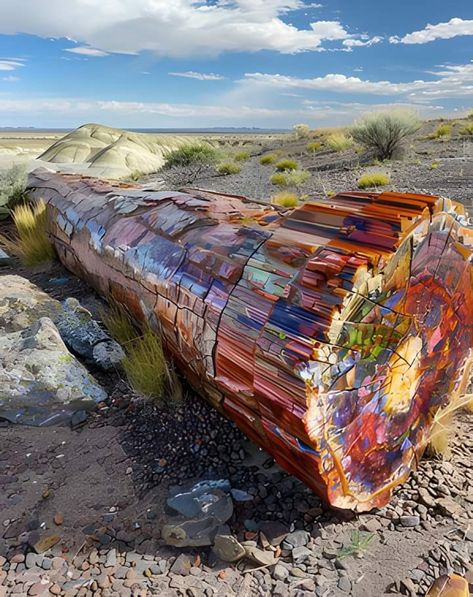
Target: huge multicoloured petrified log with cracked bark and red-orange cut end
<point>331,334</point>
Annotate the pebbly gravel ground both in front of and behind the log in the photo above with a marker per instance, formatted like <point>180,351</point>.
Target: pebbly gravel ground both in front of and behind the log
<point>89,510</point>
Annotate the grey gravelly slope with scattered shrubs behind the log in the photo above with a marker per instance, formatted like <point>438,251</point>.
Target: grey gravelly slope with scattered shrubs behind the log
<point>432,166</point>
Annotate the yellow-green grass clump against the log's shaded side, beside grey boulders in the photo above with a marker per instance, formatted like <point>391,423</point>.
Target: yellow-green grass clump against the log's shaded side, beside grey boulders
<point>145,364</point>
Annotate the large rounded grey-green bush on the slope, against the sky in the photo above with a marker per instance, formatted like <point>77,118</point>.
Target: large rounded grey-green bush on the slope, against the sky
<point>382,133</point>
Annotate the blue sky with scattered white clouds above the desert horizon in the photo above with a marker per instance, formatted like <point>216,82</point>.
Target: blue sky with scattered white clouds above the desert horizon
<point>206,63</point>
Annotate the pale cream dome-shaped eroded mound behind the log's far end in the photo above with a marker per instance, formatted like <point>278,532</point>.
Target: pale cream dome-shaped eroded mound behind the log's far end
<point>100,150</point>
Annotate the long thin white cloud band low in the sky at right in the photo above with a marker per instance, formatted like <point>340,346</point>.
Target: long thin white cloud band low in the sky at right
<point>451,81</point>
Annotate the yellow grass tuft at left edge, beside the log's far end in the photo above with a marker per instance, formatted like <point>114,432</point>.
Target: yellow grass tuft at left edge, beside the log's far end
<point>31,242</point>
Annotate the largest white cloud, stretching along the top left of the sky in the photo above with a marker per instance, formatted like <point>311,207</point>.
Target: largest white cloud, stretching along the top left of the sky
<point>173,28</point>
